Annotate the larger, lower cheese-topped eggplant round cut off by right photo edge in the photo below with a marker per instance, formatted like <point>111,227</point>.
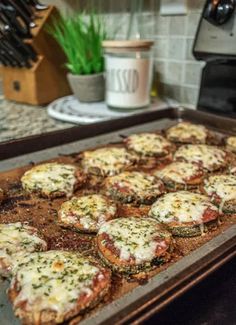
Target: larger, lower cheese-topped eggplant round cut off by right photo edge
<point>222,191</point>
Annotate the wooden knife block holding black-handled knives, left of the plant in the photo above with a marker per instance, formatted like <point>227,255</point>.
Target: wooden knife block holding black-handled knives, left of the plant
<point>46,80</point>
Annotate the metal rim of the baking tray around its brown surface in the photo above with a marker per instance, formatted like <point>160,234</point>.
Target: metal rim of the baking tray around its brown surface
<point>145,300</point>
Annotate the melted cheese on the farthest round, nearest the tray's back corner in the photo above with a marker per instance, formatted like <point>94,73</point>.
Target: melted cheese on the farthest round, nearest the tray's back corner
<point>184,130</point>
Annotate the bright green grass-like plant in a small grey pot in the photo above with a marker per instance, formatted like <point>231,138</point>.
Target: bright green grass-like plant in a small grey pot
<point>80,36</point>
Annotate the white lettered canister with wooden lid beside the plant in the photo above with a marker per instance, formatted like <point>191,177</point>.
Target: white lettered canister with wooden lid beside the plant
<point>129,67</point>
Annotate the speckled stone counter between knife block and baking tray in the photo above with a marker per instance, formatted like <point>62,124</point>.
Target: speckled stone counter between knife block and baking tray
<point>18,120</point>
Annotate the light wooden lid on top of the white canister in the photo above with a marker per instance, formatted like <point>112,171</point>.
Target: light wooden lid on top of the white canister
<point>132,45</point>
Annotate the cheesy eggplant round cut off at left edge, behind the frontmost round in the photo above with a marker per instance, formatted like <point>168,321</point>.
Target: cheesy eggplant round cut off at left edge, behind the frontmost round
<point>16,239</point>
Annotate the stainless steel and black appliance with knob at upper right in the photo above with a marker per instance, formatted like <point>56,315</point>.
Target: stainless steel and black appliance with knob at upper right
<point>215,43</point>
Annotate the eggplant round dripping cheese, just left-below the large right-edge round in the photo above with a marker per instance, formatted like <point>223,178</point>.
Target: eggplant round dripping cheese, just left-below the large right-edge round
<point>184,213</point>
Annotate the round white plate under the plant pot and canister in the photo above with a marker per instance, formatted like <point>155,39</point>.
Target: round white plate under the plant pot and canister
<point>69,109</point>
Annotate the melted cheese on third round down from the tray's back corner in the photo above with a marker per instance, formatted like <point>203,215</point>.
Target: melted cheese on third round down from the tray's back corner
<point>178,172</point>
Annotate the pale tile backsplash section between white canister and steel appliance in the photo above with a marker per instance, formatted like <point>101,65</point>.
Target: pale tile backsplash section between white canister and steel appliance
<point>179,72</point>
